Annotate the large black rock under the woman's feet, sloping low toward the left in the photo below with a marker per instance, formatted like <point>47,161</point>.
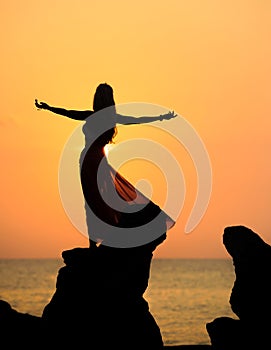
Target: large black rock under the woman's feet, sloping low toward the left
<point>98,303</point>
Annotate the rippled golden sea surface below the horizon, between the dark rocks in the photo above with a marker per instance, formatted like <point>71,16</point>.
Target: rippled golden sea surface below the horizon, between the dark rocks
<point>183,294</point>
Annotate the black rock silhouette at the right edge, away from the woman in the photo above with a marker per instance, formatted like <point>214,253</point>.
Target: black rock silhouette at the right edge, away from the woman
<point>250,298</point>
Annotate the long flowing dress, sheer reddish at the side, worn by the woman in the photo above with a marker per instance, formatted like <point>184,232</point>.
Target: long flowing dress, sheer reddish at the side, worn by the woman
<point>117,213</point>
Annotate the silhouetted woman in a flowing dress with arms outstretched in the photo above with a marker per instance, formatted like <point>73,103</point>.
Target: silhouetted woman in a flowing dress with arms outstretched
<point>112,203</point>
